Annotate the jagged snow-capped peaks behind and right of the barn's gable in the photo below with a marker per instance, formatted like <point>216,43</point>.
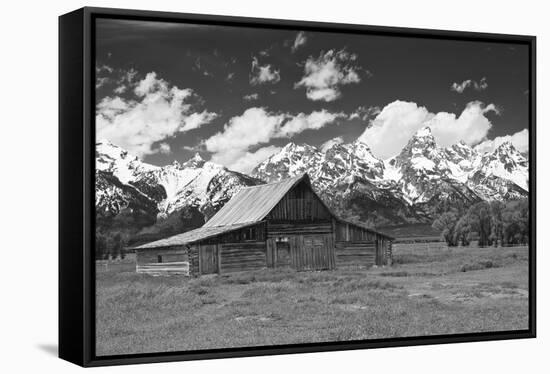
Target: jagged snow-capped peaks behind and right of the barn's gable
<point>421,180</point>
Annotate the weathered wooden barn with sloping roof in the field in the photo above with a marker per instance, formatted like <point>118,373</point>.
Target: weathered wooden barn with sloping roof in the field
<point>283,224</point>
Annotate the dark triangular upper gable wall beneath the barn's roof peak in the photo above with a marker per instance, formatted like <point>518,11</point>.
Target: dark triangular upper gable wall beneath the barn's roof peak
<point>300,204</point>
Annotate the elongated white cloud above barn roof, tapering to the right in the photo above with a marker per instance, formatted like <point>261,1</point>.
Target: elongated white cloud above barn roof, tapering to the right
<point>256,126</point>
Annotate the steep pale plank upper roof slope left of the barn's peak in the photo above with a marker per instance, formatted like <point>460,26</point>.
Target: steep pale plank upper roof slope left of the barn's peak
<point>252,204</point>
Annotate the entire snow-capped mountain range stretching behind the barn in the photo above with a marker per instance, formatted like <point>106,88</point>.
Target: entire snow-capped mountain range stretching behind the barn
<point>411,187</point>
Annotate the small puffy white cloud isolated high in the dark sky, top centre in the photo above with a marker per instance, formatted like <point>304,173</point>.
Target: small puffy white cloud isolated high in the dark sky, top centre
<point>324,75</point>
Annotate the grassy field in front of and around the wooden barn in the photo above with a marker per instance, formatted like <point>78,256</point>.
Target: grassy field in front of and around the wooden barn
<point>429,290</point>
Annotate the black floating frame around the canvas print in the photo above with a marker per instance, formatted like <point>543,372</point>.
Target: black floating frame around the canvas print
<point>76,193</point>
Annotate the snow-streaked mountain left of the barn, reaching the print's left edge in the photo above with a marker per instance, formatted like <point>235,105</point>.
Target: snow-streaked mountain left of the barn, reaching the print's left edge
<point>122,181</point>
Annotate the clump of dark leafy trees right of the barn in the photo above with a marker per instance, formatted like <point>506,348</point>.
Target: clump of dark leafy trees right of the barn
<point>492,223</point>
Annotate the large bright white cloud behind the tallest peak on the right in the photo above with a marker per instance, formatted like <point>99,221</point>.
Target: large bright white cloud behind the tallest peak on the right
<point>398,121</point>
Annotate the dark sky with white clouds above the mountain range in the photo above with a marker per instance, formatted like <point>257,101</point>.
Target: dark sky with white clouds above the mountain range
<point>236,95</point>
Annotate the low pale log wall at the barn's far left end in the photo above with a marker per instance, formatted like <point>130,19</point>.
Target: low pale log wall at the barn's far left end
<point>173,260</point>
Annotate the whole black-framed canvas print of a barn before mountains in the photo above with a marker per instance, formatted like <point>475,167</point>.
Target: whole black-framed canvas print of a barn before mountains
<point>234,187</point>
